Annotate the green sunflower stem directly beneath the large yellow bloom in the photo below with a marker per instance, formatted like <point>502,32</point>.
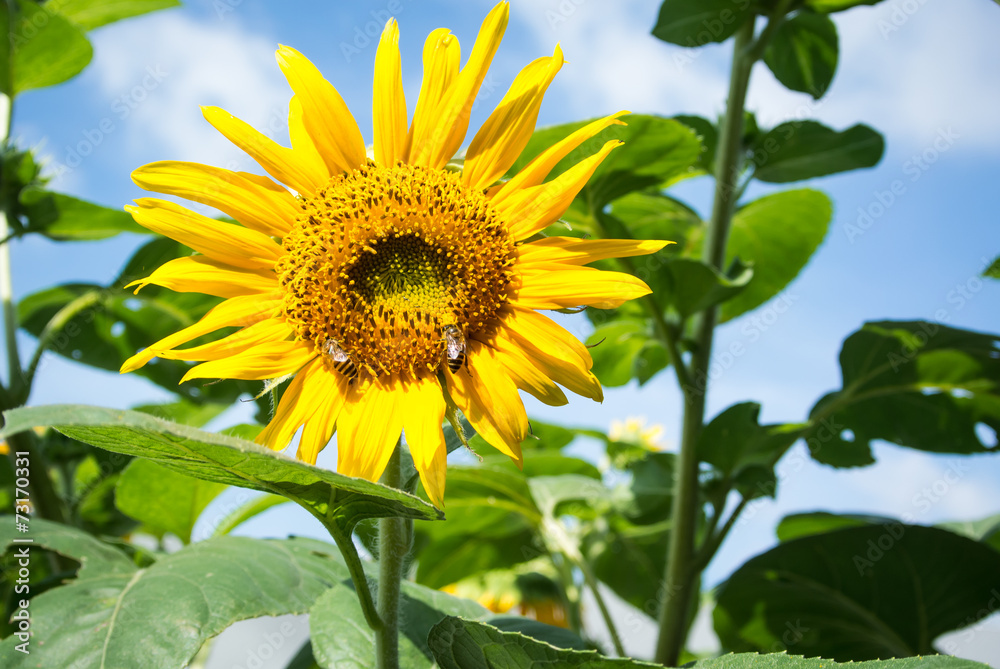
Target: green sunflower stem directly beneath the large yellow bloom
<point>393,547</point>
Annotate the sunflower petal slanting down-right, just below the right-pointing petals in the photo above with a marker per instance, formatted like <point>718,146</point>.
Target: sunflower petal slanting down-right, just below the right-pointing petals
<point>555,351</point>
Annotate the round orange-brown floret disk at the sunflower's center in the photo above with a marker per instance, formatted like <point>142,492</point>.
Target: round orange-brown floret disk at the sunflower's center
<point>383,259</point>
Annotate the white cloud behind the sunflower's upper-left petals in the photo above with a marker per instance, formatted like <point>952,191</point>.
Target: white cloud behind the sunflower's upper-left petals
<point>156,77</point>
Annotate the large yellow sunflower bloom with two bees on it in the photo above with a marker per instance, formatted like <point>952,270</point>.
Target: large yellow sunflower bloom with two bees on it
<point>393,287</point>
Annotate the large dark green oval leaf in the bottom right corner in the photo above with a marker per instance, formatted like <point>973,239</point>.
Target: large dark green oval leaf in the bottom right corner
<point>858,593</point>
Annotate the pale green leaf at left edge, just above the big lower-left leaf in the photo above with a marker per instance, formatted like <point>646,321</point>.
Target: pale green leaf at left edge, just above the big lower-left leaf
<point>96,558</point>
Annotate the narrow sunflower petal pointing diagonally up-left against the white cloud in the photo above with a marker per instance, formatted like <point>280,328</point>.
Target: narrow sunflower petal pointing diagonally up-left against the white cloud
<point>280,162</point>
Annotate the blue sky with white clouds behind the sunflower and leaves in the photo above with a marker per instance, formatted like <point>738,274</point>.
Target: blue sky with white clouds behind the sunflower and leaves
<point>920,72</point>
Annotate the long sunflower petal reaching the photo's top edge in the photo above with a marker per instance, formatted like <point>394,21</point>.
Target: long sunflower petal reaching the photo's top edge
<point>451,120</point>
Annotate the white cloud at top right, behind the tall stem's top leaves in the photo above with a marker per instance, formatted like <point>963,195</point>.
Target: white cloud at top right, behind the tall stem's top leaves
<point>908,67</point>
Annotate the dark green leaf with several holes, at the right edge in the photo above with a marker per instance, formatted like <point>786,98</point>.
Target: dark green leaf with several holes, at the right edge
<point>916,384</point>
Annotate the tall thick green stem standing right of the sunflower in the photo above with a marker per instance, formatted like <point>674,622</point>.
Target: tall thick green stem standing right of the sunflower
<point>680,577</point>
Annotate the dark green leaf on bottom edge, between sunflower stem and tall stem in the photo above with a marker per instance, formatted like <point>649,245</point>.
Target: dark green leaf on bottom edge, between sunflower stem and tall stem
<point>466,644</point>
